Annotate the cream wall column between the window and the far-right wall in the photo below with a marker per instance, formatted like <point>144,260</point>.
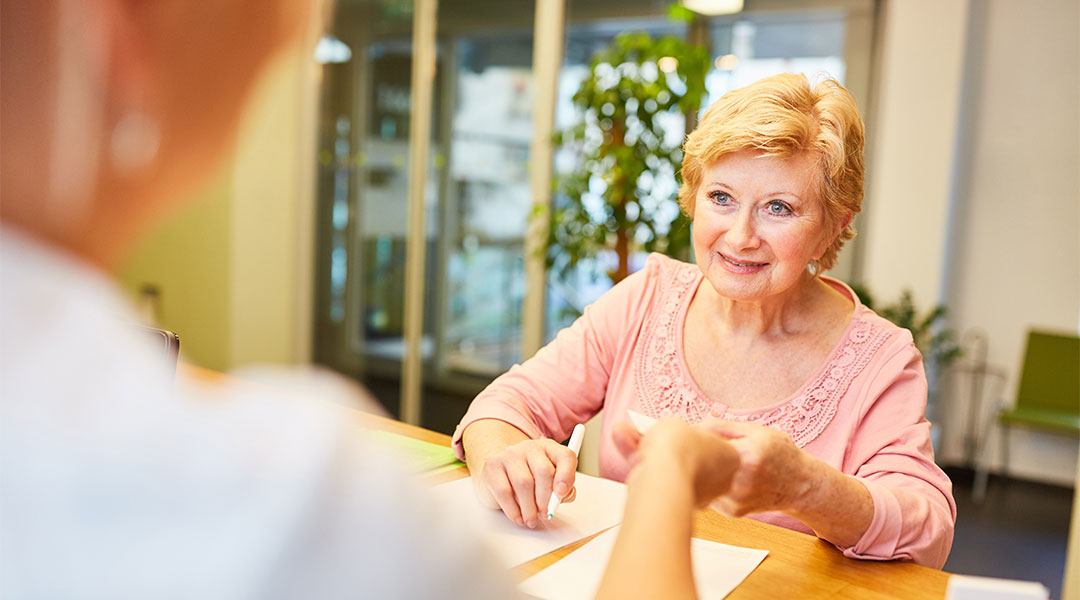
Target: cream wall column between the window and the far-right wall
<point>911,148</point>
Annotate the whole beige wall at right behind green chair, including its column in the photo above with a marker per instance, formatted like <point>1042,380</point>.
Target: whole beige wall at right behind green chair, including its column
<point>978,107</point>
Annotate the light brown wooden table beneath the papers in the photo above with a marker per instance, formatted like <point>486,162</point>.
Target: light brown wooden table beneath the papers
<point>799,567</point>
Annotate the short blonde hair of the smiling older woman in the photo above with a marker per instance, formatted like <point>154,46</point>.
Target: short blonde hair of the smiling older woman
<point>781,116</point>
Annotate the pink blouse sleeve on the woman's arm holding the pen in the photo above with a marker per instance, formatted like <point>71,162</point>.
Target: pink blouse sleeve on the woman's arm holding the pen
<point>565,383</point>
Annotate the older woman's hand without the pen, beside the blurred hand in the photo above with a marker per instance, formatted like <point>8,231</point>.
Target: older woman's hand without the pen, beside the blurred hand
<point>773,471</point>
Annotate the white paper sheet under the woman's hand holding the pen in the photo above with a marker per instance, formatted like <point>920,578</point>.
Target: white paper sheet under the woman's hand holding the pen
<point>599,506</point>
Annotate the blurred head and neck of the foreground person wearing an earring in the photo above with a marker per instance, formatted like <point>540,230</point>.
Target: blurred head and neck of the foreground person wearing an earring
<point>116,110</point>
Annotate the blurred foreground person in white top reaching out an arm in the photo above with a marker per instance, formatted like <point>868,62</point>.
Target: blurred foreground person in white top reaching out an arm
<point>118,483</point>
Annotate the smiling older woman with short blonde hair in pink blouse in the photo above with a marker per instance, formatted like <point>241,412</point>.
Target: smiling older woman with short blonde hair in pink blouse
<point>822,399</point>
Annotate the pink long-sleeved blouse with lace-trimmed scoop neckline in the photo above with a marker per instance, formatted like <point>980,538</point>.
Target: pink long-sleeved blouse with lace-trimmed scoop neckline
<point>862,413</point>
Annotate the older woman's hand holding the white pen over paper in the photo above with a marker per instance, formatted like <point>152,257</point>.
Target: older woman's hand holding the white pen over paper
<point>516,474</point>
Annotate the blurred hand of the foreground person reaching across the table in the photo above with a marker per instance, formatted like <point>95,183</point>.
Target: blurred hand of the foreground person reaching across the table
<point>707,459</point>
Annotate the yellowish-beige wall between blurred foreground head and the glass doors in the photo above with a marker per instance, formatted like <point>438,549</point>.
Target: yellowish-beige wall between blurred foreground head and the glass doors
<point>235,270</point>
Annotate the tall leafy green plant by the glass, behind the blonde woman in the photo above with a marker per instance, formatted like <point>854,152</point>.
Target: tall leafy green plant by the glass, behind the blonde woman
<point>623,199</point>
